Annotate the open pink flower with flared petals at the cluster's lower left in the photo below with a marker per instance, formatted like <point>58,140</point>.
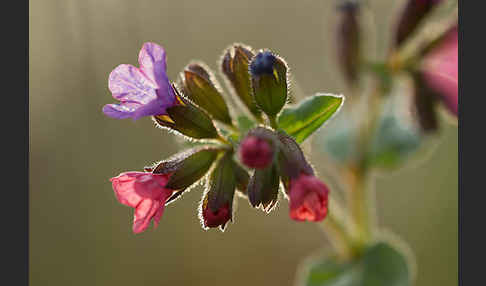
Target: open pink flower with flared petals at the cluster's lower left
<point>146,193</point>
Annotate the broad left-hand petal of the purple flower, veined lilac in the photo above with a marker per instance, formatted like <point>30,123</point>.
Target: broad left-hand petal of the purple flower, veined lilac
<point>128,83</point>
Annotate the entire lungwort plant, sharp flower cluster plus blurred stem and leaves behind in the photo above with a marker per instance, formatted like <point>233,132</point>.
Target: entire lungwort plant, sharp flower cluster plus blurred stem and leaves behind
<point>249,140</point>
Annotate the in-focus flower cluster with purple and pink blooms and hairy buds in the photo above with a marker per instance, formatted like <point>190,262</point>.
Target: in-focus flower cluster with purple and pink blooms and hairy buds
<point>253,150</point>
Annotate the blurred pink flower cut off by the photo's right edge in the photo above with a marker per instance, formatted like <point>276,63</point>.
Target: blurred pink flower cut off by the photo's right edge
<point>440,69</point>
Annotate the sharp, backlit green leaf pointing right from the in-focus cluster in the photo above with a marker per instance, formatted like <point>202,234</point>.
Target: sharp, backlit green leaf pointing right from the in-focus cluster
<point>304,119</point>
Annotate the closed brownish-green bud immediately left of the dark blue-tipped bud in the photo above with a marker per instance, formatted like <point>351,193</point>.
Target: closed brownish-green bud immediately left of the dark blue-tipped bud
<point>235,65</point>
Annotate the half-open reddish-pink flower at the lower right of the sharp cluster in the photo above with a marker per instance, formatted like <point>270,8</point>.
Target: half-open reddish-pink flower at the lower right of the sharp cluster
<point>308,198</point>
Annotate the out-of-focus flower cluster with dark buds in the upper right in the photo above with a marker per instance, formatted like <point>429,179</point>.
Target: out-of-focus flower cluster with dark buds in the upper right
<point>432,67</point>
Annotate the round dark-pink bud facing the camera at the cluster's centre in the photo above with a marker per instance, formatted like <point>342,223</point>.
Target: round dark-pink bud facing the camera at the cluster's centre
<point>255,152</point>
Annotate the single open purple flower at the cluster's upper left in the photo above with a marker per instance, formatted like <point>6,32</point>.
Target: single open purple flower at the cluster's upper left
<point>143,91</point>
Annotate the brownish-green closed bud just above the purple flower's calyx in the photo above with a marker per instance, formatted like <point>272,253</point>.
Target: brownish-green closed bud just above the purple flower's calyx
<point>203,89</point>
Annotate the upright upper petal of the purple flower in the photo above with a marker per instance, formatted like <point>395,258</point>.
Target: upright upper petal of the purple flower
<point>152,63</point>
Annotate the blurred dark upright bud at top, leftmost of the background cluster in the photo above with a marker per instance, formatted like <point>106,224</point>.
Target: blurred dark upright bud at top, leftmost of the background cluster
<point>348,40</point>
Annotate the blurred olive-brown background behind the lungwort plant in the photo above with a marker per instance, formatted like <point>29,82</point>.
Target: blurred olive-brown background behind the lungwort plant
<point>80,234</point>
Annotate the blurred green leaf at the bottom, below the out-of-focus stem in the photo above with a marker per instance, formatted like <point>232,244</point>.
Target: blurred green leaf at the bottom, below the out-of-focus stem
<point>381,265</point>
